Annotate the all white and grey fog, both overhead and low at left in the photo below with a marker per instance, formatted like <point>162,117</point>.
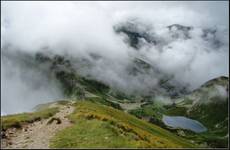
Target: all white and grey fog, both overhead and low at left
<point>82,29</point>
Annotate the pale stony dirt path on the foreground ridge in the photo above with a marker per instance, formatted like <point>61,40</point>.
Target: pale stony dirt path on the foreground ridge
<point>38,134</point>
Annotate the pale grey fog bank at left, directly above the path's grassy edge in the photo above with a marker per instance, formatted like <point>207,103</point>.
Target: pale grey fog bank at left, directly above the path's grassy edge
<point>24,85</point>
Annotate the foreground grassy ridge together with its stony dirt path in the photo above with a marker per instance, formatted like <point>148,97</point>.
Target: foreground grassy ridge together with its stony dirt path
<point>99,125</point>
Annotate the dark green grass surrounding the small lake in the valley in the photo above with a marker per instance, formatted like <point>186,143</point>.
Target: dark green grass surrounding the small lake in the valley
<point>208,114</point>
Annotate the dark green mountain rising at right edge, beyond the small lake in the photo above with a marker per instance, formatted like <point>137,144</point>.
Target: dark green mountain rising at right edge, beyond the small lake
<point>209,104</point>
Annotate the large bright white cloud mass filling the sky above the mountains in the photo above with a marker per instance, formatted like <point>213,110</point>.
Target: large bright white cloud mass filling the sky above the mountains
<point>81,28</point>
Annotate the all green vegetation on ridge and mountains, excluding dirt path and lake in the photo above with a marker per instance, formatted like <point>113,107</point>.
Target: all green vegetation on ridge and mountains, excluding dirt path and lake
<point>99,122</point>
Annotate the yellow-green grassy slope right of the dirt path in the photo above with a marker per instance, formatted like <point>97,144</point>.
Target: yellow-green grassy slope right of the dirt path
<point>97,125</point>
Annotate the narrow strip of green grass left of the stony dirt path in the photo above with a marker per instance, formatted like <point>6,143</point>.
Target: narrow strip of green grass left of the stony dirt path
<point>18,120</point>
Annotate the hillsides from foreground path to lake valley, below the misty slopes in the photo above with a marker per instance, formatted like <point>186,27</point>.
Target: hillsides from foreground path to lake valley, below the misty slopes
<point>101,121</point>
